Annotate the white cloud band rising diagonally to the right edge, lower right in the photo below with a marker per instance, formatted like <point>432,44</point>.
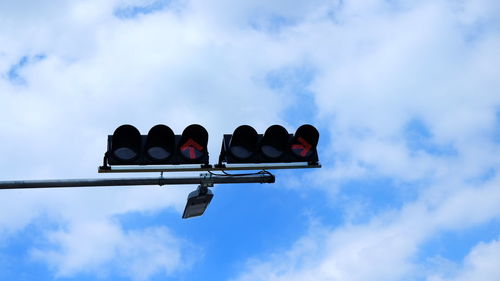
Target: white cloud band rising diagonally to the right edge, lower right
<point>387,247</point>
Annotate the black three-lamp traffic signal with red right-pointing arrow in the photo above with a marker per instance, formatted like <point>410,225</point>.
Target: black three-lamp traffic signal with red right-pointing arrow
<point>276,145</point>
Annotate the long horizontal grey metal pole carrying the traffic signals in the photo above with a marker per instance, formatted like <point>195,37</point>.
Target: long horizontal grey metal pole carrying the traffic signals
<point>202,179</point>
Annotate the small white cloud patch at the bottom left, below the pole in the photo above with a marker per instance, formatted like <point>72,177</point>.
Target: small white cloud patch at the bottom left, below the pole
<point>102,248</point>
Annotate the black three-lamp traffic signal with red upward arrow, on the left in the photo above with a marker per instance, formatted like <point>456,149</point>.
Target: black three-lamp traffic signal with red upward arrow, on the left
<point>160,146</point>
